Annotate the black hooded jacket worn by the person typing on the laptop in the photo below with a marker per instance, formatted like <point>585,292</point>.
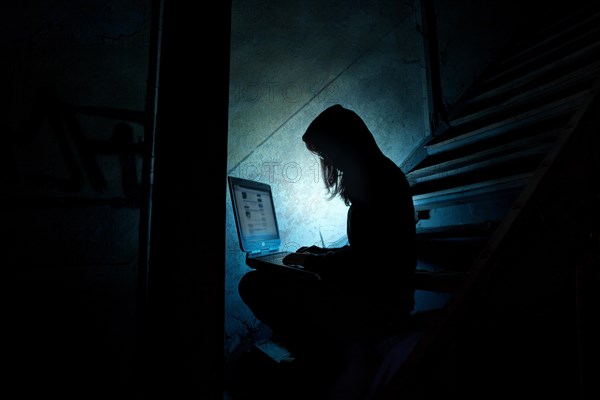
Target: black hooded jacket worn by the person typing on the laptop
<point>379,260</point>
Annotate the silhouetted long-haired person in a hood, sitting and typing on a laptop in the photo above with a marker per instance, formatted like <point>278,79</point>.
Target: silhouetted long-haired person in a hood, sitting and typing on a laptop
<point>366,290</point>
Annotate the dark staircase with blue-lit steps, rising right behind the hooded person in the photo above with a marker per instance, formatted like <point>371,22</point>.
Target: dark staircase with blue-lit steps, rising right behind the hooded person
<point>506,197</point>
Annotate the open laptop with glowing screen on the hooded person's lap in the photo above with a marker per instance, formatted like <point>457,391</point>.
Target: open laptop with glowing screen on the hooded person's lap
<point>256,224</point>
